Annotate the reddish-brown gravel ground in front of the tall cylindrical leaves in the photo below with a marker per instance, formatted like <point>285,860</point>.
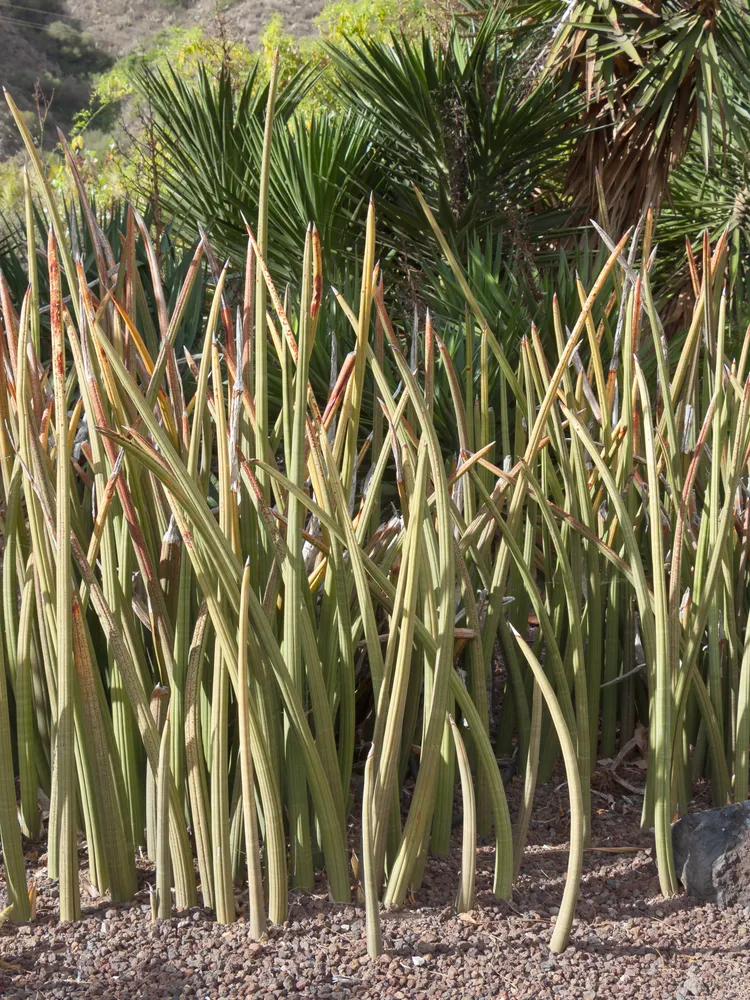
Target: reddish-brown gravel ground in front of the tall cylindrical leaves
<point>627,940</point>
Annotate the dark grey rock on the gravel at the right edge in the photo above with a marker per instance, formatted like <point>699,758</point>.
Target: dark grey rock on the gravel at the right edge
<point>712,854</point>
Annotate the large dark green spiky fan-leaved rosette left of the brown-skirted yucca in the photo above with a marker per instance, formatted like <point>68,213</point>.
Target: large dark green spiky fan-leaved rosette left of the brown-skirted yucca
<point>455,118</point>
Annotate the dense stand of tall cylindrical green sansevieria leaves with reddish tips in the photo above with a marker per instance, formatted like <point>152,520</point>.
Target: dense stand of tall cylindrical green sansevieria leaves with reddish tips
<point>171,539</point>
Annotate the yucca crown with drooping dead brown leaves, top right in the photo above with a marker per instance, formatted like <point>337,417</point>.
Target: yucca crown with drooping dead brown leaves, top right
<point>652,76</point>
